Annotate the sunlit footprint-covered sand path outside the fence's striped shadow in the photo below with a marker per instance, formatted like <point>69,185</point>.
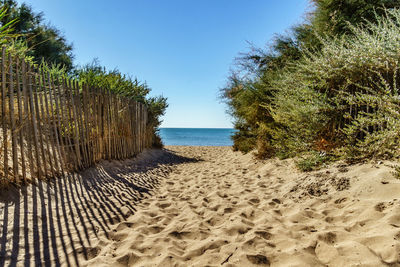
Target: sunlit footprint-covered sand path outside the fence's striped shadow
<point>227,209</point>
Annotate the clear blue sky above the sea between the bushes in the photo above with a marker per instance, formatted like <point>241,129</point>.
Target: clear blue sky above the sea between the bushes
<point>183,49</point>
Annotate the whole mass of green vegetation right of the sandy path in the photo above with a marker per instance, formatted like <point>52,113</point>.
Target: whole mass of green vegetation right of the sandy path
<point>329,87</point>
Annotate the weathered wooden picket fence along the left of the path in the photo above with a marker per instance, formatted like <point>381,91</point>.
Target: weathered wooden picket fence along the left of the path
<point>51,125</point>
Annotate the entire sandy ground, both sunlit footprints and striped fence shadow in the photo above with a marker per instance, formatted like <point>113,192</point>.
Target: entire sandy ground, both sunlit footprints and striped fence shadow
<point>205,206</point>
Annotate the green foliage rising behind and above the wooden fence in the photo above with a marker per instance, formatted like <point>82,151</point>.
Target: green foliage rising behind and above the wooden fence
<point>24,33</point>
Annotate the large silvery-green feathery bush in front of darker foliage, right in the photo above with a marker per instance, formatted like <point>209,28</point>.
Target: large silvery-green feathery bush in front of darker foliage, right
<point>345,95</point>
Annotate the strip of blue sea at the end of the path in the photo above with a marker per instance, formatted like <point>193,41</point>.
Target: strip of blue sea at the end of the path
<point>196,136</point>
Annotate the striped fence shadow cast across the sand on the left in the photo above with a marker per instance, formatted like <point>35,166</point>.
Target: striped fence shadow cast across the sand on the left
<point>59,222</point>
